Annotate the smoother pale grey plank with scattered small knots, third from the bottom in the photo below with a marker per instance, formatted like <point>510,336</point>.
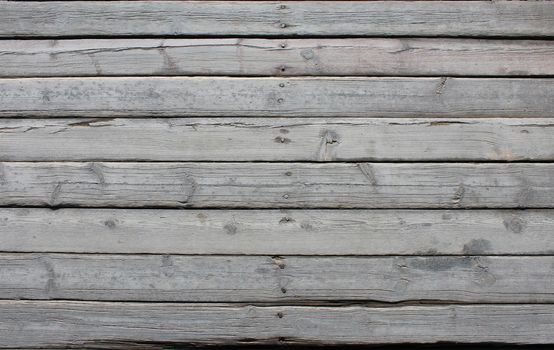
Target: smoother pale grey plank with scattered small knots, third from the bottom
<point>278,232</point>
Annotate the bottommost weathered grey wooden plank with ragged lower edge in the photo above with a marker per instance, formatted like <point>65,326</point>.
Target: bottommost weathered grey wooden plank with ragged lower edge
<point>63,323</point>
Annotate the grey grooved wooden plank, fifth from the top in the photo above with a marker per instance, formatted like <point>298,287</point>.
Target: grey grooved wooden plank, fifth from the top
<point>279,185</point>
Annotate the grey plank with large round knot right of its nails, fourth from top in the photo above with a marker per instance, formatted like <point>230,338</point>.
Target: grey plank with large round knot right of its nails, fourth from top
<point>277,139</point>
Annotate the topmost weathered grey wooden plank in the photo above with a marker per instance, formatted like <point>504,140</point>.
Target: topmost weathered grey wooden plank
<point>272,18</point>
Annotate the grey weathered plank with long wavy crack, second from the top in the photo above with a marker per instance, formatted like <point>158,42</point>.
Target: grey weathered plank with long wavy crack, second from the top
<point>288,57</point>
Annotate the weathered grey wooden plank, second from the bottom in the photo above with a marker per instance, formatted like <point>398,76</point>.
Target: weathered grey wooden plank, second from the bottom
<point>266,279</point>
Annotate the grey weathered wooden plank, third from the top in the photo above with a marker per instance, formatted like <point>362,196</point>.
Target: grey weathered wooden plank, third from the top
<point>222,96</point>
